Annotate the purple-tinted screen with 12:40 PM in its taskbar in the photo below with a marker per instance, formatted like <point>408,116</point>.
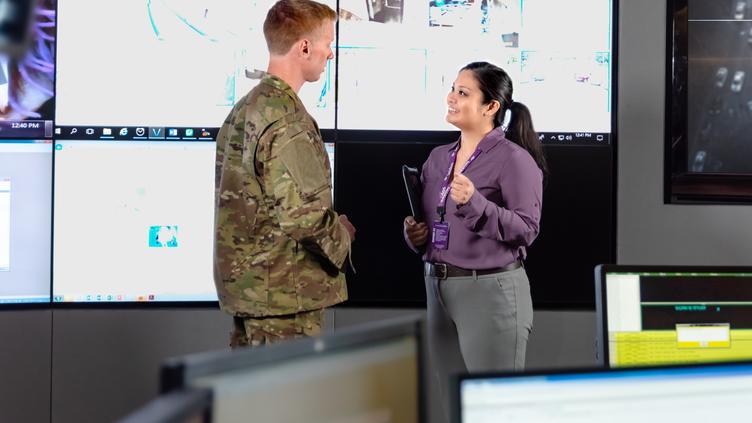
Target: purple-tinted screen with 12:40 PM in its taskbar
<point>27,68</point>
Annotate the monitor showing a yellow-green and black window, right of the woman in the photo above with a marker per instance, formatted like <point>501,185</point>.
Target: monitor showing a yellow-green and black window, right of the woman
<point>657,315</point>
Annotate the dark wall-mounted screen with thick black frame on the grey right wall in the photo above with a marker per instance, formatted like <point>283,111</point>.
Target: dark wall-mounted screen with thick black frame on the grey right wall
<point>708,107</point>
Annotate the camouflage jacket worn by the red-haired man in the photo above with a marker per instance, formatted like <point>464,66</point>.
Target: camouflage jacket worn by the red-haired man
<point>278,245</point>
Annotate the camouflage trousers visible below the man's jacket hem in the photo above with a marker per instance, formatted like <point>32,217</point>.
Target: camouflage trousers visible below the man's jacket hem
<point>256,331</point>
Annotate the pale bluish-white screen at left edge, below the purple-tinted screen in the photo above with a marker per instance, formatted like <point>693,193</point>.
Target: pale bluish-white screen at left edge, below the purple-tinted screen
<point>25,219</point>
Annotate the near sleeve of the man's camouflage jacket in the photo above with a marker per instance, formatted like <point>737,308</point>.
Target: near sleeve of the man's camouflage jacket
<point>297,179</point>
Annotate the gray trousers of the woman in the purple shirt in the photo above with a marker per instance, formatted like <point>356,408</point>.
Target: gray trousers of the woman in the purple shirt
<point>477,324</point>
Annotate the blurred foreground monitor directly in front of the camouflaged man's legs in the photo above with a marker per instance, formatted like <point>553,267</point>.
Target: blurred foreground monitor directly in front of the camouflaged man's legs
<point>364,374</point>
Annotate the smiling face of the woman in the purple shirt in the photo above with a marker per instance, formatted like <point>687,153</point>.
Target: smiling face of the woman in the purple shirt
<point>465,106</point>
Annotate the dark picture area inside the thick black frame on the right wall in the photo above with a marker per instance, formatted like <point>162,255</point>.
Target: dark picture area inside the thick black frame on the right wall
<point>719,93</point>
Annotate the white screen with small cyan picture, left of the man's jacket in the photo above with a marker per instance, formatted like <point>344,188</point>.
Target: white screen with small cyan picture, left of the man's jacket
<point>133,221</point>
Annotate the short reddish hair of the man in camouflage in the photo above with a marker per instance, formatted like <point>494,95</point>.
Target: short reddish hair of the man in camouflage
<point>290,20</point>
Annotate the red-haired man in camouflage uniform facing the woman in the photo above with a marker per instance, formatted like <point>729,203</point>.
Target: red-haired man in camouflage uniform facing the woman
<point>279,247</point>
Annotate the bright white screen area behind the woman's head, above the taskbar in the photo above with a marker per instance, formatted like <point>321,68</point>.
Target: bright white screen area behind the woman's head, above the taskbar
<point>395,73</point>
